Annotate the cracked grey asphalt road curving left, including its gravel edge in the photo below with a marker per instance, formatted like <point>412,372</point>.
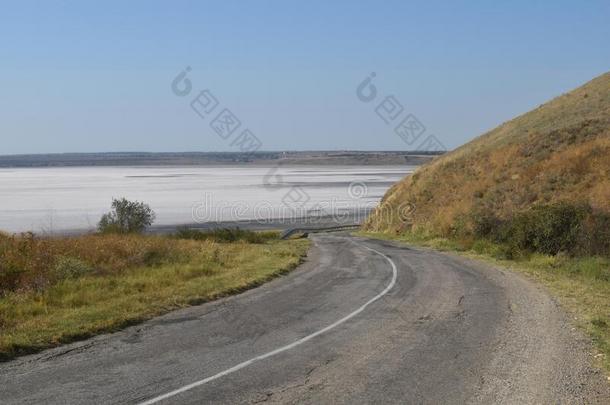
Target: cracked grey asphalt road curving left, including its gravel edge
<point>362,321</point>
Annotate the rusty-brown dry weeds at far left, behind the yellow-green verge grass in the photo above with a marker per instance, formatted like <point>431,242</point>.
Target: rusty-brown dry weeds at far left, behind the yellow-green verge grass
<point>28,262</point>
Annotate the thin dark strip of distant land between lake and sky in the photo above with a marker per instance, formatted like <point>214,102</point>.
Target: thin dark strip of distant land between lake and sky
<point>323,158</point>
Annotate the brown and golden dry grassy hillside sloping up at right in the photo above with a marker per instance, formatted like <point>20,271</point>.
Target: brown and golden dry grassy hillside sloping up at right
<point>558,152</point>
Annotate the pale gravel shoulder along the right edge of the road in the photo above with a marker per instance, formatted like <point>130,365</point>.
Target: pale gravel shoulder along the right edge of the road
<point>541,330</point>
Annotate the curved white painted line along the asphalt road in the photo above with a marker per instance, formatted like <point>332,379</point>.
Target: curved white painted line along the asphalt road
<point>287,347</point>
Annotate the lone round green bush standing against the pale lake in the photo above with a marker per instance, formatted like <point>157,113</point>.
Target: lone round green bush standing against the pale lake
<point>127,217</point>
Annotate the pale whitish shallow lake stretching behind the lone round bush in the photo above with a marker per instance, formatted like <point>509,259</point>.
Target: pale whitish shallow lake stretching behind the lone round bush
<point>59,199</point>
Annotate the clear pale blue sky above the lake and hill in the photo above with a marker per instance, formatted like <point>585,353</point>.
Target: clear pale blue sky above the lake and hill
<point>85,76</point>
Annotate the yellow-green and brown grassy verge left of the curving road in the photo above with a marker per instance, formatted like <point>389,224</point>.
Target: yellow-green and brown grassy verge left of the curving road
<point>186,272</point>
